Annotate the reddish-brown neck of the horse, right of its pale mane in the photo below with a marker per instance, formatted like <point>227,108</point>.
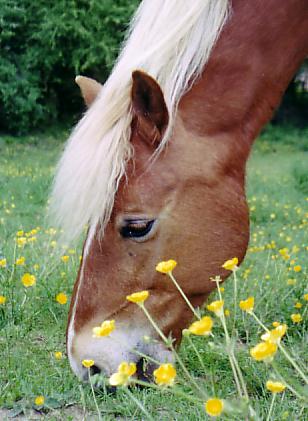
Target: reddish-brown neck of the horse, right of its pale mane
<point>255,58</point>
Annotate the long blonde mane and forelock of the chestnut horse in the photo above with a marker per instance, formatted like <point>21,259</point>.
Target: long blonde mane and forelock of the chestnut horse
<point>170,40</point>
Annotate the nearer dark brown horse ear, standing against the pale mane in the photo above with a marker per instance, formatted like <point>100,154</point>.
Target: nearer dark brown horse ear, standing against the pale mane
<point>149,107</point>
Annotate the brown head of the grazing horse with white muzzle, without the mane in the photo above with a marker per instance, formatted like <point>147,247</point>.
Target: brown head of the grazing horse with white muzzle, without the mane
<point>182,204</point>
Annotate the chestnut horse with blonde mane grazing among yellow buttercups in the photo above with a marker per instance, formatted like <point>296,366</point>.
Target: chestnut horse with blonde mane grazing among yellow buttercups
<point>156,167</point>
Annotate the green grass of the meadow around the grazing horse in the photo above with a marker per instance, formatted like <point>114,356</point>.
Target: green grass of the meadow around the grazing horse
<point>32,322</point>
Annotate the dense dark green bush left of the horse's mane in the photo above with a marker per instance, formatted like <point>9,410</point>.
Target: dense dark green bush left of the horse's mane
<point>44,45</point>
